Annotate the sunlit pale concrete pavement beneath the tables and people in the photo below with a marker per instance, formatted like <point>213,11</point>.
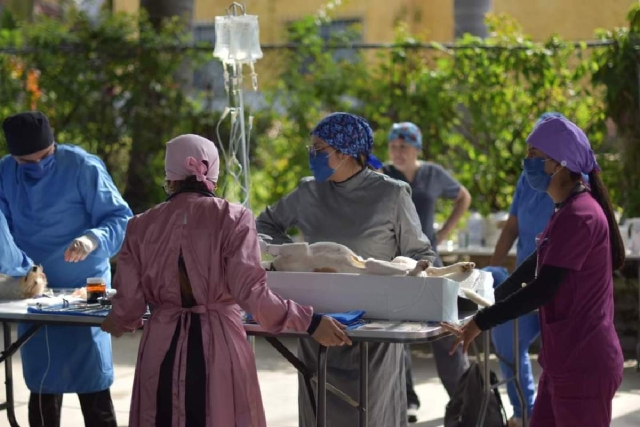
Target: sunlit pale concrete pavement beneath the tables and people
<point>278,382</point>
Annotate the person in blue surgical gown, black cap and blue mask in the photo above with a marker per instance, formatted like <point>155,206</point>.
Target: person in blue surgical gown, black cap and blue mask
<point>65,213</point>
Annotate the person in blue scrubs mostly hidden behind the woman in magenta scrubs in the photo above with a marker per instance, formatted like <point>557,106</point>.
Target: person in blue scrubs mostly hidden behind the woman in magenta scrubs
<point>528,216</point>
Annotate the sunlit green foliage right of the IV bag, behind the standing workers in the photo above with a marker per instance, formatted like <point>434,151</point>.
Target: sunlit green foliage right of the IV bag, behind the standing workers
<point>475,104</point>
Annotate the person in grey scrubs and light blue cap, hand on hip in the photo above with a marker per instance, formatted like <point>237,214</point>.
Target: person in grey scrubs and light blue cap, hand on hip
<point>429,182</point>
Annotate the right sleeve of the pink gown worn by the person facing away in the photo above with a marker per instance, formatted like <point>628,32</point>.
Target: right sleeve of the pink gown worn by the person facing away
<point>247,282</point>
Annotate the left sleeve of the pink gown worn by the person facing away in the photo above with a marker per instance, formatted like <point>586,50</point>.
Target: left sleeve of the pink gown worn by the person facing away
<point>129,303</point>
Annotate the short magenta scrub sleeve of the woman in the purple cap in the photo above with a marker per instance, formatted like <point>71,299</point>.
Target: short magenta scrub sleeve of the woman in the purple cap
<point>567,243</point>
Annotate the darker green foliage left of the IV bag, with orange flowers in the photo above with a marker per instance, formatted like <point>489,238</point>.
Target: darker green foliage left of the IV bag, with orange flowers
<point>107,86</point>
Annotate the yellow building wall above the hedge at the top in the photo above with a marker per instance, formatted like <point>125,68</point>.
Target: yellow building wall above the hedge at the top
<point>571,19</point>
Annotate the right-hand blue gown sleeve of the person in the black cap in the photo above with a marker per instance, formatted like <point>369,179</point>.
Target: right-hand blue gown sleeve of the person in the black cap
<point>109,212</point>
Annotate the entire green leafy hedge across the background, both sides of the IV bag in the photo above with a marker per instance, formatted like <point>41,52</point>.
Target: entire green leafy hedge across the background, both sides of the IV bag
<point>110,86</point>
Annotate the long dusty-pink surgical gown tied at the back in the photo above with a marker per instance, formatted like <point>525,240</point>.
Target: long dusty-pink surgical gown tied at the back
<point>222,256</point>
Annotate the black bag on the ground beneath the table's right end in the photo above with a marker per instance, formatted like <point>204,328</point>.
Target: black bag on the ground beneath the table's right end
<point>463,410</point>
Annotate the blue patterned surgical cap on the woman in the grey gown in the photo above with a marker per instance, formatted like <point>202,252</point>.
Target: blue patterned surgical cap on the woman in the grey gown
<point>349,134</point>
